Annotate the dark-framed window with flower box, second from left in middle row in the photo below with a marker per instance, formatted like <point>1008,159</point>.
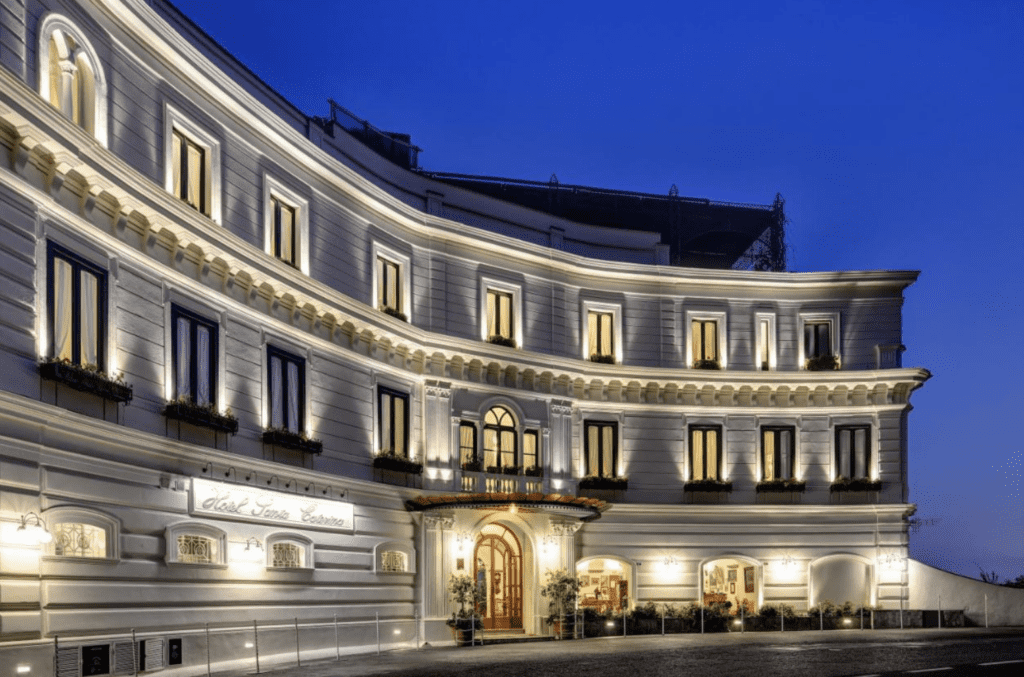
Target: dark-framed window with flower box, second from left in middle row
<point>195,342</point>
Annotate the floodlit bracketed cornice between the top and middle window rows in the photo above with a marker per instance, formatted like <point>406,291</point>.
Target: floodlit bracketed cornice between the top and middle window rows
<point>156,231</point>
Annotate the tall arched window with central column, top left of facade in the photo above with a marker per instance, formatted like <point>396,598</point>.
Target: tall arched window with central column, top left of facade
<point>71,77</point>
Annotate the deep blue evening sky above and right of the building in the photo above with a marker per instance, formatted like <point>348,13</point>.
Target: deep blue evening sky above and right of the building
<point>894,131</point>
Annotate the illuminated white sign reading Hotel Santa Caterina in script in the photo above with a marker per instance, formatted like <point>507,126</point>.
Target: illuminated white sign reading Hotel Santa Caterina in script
<point>260,505</point>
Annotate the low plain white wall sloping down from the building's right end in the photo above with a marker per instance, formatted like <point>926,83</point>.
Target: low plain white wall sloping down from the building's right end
<point>932,588</point>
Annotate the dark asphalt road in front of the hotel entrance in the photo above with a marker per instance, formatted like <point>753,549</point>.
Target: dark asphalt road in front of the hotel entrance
<point>998,653</point>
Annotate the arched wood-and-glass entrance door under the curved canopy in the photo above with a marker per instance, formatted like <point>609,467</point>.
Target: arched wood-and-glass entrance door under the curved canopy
<point>498,569</point>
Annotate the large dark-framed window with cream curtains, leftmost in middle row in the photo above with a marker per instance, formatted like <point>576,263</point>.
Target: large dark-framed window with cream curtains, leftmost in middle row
<point>77,299</point>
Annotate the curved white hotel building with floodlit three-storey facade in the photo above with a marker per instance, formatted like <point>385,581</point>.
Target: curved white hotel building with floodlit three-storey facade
<point>253,371</point>
